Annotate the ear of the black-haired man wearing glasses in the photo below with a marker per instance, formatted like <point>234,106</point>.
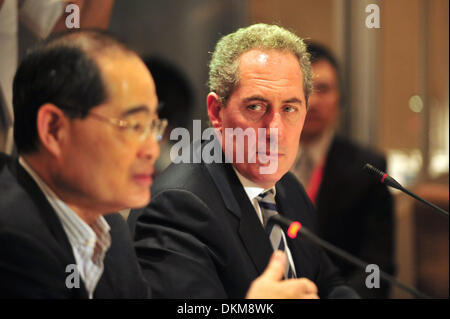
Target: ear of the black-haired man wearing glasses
<point>52,127</point>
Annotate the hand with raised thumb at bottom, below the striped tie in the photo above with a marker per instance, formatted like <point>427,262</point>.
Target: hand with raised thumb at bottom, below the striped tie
<point>271,286</point>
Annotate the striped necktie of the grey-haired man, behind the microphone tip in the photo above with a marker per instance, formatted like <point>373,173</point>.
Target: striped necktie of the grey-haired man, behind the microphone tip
<point>266,201</point>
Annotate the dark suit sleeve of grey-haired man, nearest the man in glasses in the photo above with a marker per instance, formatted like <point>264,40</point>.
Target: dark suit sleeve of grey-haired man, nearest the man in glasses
<point>174,241</point>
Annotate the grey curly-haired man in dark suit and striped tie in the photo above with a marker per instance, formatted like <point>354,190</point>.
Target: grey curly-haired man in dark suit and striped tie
<point>206,232</point>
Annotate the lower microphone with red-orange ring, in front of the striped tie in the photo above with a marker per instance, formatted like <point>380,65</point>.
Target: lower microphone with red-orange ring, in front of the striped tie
<point>294,227</point>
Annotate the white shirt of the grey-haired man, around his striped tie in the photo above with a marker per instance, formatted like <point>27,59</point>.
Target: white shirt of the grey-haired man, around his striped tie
<point>253,190</point>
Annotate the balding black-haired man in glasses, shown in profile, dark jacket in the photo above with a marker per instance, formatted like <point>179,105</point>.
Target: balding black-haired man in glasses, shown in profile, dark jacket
<point>86,131</point>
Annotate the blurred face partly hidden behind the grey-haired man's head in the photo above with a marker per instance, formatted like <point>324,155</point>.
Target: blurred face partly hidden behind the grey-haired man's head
<point>323,104</point>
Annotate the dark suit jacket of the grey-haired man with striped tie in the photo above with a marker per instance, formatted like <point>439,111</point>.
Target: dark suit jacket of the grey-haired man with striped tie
<point>200,236</point>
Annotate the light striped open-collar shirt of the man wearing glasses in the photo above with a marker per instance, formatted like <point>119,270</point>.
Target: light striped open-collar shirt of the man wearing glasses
<point>89,243</point>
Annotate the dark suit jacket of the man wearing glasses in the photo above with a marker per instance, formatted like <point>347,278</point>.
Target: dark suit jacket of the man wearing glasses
<point>35,251</point>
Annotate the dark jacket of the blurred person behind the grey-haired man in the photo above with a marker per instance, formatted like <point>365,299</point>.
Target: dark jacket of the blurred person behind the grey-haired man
<point>355,212</point>
